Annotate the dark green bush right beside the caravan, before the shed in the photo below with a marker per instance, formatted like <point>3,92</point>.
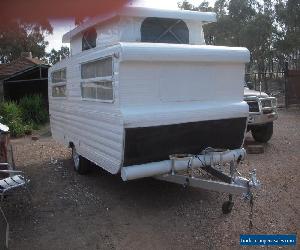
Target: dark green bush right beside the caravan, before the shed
<point>33,110</point>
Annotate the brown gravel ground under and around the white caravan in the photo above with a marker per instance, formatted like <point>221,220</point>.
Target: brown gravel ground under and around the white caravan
<point>99,211</point>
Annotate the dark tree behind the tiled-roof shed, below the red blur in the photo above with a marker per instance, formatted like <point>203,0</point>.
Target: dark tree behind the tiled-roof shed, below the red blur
<point>18,36</point>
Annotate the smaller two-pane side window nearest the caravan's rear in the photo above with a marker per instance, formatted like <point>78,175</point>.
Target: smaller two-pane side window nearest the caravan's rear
<point>59,81</point>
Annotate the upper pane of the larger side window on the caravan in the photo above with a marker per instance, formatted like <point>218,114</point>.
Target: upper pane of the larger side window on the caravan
<point>99,68</point>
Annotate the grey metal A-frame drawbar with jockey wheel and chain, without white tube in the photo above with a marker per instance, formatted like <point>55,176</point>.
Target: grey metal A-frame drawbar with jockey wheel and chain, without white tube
<point>232,183</point>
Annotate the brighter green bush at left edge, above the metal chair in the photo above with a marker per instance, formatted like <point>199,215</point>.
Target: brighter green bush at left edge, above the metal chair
<point>12,117</point>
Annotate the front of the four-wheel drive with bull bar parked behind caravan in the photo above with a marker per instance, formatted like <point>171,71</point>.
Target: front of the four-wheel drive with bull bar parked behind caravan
<point>262,113</point>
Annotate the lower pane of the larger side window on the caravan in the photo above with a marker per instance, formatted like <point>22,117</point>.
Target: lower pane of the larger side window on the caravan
<point>97,90</point>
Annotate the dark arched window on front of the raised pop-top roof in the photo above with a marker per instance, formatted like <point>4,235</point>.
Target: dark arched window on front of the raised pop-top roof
<point>164,30</point>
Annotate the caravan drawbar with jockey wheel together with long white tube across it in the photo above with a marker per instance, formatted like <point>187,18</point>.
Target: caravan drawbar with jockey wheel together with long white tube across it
<point>182,168</point>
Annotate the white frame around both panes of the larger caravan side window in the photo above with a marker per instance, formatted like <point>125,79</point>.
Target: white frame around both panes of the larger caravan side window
<point>99,79</point>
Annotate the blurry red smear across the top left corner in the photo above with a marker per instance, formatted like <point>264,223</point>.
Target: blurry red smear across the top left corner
<point>38,10</point>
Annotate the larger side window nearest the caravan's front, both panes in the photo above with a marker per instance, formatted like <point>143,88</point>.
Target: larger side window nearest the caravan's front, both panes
<point>97,79</point>
